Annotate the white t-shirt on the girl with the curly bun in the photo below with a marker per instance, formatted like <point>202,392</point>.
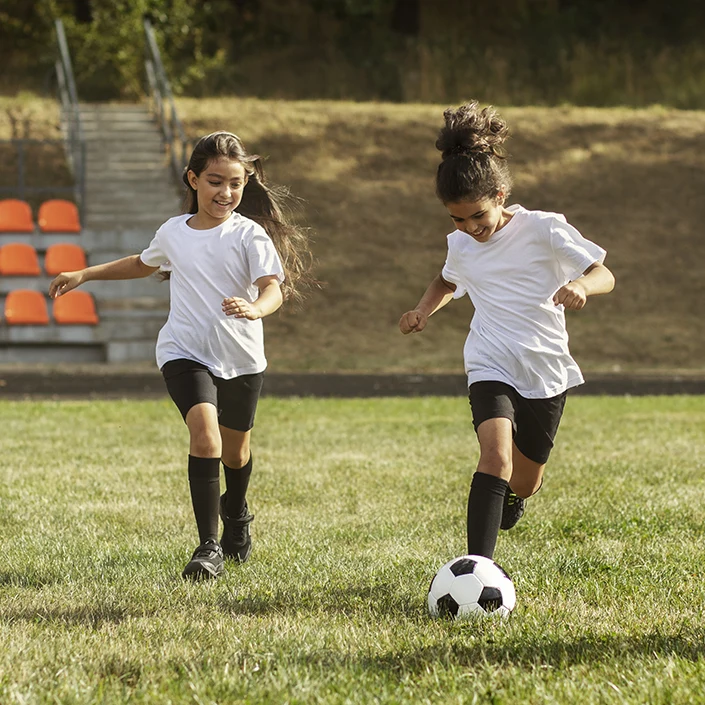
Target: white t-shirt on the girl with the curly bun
<point>518,335</point>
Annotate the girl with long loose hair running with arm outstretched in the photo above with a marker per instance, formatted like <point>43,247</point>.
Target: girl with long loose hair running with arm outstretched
<point>232,258</point>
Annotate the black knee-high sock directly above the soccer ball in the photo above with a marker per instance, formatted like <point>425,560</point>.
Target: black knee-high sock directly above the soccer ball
<point>484,513</point>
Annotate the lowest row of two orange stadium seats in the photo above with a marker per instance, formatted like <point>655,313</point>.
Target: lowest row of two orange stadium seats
<point>27,307</point>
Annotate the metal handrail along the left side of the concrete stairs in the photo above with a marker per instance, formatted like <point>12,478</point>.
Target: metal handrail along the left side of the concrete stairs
<point>72,127</point>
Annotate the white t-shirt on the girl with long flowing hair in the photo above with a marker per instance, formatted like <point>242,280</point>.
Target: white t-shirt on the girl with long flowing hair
<point>206,267</point>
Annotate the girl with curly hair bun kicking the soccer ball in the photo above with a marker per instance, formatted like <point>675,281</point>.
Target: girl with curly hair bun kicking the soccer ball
<point>521,270</point>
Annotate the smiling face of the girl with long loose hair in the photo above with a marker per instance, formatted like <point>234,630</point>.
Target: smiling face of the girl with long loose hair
<point>218,190</point>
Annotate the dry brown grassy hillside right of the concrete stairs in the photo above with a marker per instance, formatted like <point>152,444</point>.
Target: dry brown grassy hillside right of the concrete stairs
<point>632,180</point>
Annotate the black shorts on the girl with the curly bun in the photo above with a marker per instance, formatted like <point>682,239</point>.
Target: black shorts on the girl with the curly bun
<point>535,421</point>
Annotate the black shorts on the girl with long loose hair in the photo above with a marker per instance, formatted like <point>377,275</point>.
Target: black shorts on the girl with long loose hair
<point>190,383</point>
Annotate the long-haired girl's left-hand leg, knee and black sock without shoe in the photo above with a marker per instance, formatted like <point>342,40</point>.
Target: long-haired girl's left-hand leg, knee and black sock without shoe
<point>205,449</point>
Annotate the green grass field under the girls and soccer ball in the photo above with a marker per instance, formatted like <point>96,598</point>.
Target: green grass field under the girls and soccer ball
<point>357,504</point>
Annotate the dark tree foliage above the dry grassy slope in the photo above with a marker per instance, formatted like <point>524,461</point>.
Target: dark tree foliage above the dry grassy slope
<point>363,49</point>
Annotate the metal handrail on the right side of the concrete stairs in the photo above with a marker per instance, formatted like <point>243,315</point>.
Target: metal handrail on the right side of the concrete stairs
<point>163,106</point>
